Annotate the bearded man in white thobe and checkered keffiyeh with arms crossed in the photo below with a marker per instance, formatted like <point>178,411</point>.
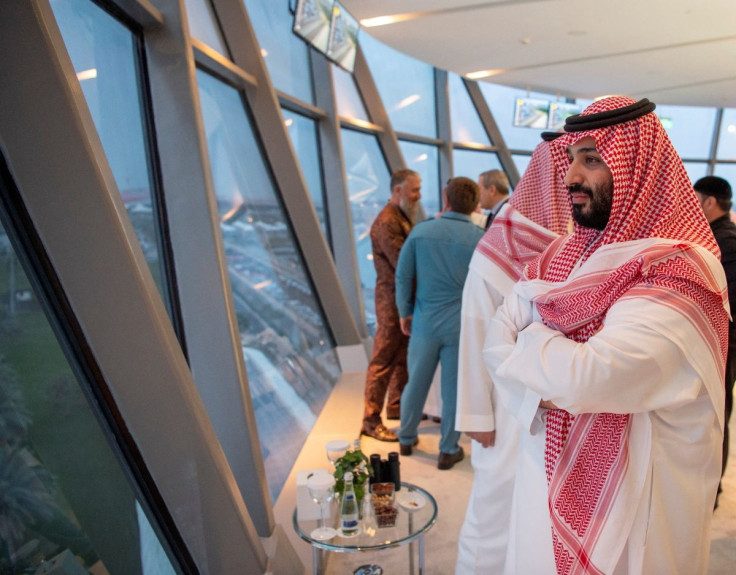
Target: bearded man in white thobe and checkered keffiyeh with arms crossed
<point>610,353</point>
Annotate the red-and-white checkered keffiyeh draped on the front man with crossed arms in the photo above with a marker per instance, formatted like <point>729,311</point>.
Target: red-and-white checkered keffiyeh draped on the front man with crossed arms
<point>587,455</point>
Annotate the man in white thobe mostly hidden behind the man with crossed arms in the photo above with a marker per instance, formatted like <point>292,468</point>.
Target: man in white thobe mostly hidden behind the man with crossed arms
<point>538,211</point>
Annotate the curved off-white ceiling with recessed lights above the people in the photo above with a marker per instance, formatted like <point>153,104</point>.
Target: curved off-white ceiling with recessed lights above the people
<point>677,52</point>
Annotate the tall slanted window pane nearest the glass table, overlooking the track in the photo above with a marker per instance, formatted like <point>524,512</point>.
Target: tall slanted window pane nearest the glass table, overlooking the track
<point>289,353</point>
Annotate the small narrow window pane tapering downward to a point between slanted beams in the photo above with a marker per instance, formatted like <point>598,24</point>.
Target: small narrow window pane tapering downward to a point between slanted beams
<point>303,132</point>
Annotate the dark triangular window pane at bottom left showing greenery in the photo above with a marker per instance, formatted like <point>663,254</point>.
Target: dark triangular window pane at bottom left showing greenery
<point>65,503</point>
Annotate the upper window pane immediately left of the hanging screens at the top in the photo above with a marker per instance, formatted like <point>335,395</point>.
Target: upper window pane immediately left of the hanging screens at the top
<point>286,55</point>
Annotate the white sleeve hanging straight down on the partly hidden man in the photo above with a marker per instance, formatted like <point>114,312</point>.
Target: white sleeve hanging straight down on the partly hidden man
<point>474,384</point>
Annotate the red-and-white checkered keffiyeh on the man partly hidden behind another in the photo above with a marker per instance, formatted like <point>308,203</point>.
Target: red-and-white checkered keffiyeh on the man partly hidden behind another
<point>539,205</point>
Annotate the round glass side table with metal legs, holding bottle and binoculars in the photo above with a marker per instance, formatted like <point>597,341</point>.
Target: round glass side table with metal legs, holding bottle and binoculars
<point>410,527</point>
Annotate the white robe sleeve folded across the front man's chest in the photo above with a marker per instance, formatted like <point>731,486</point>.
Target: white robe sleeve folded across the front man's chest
<point>631,365</point>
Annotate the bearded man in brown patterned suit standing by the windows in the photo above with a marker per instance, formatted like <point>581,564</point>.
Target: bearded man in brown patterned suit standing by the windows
<point>387,373</point>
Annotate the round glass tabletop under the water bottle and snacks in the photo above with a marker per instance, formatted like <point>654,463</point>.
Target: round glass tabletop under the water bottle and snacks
<point>403,532</point>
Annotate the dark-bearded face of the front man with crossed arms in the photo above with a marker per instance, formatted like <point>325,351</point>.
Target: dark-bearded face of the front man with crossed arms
<point>590,185</point>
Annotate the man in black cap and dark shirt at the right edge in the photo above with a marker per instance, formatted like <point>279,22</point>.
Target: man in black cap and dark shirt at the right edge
<point>714,194</point>
